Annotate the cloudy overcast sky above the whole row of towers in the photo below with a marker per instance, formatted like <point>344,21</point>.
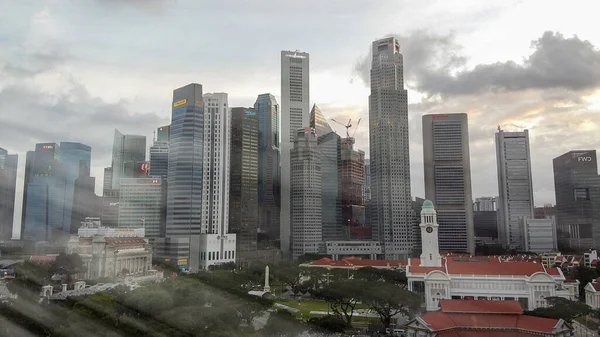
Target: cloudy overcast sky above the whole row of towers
<point>74,70</point>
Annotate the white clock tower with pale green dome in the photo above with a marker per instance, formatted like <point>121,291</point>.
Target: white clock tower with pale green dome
<point>430,256</point>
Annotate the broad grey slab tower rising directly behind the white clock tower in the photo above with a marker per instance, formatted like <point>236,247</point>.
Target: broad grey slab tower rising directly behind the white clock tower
<point>447,167</point>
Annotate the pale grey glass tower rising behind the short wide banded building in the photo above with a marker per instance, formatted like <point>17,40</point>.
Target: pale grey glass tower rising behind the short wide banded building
<point>126,148</point>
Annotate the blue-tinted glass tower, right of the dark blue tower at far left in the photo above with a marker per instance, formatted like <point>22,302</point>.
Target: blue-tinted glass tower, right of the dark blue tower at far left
<point>71,156</point>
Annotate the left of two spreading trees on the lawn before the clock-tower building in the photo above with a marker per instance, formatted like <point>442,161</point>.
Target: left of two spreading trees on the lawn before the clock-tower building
<point>343,296</point>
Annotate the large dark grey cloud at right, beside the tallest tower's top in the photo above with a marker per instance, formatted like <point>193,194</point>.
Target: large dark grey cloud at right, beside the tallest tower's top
<point>434,65</point>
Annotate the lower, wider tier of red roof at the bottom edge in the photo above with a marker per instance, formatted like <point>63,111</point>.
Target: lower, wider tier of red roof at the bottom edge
<point>443,321</point>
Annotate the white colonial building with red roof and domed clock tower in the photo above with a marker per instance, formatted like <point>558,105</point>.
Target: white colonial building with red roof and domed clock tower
<point>479,278</point>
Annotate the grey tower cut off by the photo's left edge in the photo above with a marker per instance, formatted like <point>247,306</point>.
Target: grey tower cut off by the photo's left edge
<point>8,184</point>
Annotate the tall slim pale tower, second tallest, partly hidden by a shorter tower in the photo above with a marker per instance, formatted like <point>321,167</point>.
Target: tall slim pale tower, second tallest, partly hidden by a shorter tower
<point>295,110</point>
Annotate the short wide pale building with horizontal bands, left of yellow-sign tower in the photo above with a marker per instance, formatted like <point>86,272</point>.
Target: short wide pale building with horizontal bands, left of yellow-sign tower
<point>141,205</point>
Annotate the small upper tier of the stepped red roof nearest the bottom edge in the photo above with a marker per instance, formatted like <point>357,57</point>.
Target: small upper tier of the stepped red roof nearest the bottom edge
<point>483,307</point>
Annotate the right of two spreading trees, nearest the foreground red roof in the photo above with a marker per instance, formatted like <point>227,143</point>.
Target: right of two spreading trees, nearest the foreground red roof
<point>388,300</point>
